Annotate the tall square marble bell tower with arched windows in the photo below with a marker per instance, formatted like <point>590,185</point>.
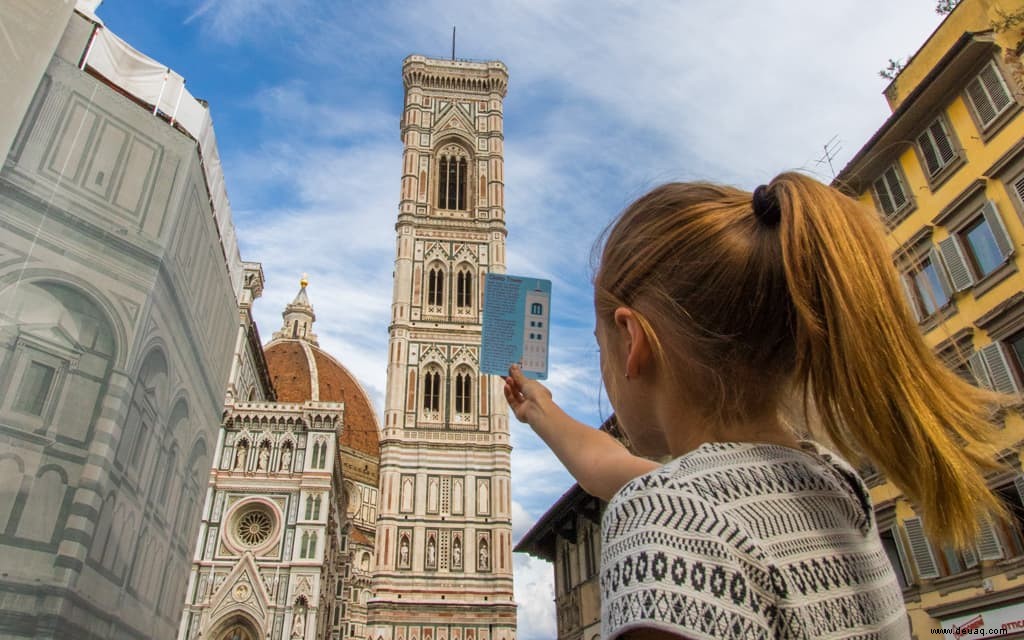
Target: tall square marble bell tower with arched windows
<point>444,546</point>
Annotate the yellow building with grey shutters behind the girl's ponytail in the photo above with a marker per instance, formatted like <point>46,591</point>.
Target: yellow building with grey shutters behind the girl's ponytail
<point>947,174</point>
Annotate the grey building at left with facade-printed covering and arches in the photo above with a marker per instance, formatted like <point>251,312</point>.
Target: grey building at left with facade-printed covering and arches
<point>116,305</point>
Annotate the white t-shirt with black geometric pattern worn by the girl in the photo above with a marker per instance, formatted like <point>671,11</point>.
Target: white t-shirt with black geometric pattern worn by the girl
<point>739,540</point>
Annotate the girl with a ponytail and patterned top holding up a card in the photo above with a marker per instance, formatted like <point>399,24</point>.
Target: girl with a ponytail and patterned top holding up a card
<point>713,308</point>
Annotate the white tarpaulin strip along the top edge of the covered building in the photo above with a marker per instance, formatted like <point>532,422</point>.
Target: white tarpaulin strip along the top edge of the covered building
<point>165,92</point>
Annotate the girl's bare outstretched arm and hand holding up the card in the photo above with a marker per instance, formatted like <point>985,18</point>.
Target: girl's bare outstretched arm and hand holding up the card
<point>600,463</point>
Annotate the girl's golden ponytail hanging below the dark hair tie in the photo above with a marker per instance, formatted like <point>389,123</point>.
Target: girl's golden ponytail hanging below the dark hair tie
<point>861,358</point>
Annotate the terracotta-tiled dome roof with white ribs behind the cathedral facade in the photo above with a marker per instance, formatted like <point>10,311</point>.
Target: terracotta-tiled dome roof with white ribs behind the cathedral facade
<point>294,364</point>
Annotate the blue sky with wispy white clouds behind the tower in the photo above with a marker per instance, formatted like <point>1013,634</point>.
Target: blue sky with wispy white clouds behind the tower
<point>606,101</point>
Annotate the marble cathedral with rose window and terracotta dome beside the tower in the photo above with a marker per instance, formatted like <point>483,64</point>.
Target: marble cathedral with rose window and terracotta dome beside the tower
<point>286,540</point>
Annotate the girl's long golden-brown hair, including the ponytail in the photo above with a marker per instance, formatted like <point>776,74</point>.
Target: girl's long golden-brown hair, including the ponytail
<point>746,313</point>
